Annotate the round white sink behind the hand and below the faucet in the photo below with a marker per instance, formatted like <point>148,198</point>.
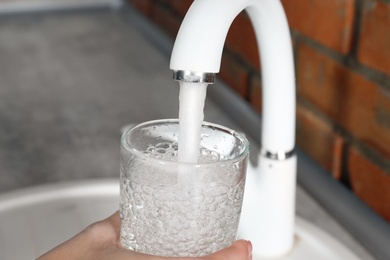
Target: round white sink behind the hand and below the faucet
<point>39,218</point>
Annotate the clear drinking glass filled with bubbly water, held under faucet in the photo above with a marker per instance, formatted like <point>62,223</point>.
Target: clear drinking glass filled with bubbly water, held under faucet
<point>169,208</point>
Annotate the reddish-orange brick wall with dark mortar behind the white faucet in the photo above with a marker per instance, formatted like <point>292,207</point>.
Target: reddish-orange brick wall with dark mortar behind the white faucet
<point>342,57</point>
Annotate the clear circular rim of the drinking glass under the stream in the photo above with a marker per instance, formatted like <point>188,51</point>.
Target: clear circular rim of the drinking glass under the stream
<point>125,144</point>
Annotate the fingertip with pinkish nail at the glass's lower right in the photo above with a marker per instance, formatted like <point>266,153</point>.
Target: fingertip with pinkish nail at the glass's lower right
<point>240,250</point>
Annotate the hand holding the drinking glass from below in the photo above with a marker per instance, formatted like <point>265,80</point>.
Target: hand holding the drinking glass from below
<point>101,241</point>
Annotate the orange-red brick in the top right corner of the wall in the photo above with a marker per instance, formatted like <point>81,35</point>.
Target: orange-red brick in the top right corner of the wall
<point>374,45</point>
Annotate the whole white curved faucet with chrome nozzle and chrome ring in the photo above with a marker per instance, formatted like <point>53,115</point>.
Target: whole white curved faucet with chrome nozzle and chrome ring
<point>268,212</point>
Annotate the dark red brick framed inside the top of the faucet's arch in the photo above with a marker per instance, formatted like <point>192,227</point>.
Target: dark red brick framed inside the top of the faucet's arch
<point>241,40</point>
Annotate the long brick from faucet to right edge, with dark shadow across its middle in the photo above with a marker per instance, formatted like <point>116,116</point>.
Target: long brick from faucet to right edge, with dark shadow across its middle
<point>355,103</point>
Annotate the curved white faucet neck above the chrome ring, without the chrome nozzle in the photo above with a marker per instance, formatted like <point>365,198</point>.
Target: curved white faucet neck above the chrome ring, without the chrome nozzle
<point>199,45</point>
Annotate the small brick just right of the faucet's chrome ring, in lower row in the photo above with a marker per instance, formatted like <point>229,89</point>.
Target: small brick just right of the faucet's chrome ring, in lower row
<point>318,139</point>
